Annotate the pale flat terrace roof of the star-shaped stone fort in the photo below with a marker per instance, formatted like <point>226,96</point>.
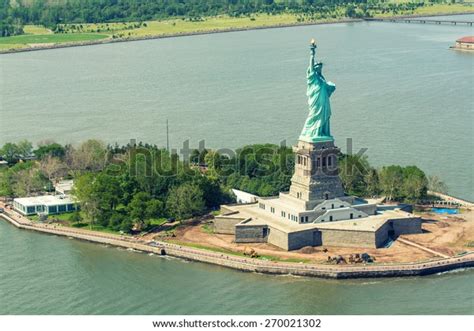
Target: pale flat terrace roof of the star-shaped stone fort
<point>368,224</point>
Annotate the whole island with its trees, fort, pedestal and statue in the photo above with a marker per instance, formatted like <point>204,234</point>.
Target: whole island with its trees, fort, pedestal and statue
<point>282,211</point>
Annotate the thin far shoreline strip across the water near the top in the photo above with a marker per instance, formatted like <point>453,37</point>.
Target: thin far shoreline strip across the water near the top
<point>109,40</point>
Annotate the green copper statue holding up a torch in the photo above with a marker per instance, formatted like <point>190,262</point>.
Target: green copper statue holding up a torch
<point>316,127</point>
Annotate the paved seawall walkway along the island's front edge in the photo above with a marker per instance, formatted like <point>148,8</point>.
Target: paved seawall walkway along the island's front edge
<point>249,264</point>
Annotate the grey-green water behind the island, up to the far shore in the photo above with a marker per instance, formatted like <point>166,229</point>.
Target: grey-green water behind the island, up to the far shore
<point>401,92</point>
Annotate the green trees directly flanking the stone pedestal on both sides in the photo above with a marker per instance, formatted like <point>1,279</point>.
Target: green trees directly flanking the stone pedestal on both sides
<point>265,170</point>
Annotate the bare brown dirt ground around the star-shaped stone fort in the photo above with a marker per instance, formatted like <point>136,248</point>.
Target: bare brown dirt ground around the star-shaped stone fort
<point>445,234</point>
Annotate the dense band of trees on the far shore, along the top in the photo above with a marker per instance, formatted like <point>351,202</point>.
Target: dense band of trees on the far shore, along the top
<point>53,13</point>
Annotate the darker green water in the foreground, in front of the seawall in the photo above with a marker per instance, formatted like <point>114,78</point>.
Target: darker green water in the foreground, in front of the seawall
<point>42,274</point>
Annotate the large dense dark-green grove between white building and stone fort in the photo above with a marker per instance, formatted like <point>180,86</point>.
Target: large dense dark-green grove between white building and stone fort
<point>142,183</point>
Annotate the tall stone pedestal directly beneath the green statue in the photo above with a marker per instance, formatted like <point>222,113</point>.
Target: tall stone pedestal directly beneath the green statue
<point>316,173</point>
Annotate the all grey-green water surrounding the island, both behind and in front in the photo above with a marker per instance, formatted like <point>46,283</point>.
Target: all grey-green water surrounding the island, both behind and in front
<point>400,92</point>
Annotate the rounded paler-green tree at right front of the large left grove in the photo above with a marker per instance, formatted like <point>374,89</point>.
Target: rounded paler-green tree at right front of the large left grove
<point>185,201</point>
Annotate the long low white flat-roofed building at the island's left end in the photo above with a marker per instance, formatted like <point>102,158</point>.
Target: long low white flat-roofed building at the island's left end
<point>47,204</point>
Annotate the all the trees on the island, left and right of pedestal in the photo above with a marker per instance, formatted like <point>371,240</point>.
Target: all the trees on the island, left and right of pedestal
<point>129,187</point>
